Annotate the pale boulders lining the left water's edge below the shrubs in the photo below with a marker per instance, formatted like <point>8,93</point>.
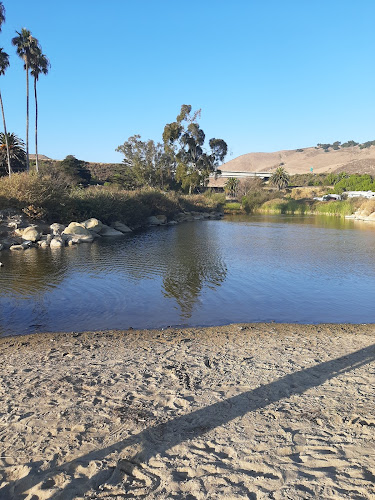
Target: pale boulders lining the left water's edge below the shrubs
<point>17,233</point>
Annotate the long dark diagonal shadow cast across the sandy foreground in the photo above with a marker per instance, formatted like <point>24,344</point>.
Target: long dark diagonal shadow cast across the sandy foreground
<point>159,438</point>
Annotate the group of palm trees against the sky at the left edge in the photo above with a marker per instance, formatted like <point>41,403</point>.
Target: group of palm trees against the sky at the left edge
<point>13,156</point>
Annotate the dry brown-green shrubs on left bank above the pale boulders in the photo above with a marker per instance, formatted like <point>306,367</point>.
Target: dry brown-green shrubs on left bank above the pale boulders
<point>54,200</point>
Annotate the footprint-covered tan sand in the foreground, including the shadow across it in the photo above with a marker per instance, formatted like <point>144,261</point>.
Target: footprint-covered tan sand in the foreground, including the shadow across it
<point>242,411</point>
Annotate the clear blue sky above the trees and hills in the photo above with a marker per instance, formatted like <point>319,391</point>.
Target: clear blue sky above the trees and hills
<point>267,74</point>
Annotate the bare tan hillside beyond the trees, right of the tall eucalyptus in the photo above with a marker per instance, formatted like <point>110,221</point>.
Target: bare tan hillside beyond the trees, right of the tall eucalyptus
<point>350,159</point>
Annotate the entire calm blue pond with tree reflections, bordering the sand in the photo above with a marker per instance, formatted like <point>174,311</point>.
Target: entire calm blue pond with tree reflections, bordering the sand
<point>241,269</point>
